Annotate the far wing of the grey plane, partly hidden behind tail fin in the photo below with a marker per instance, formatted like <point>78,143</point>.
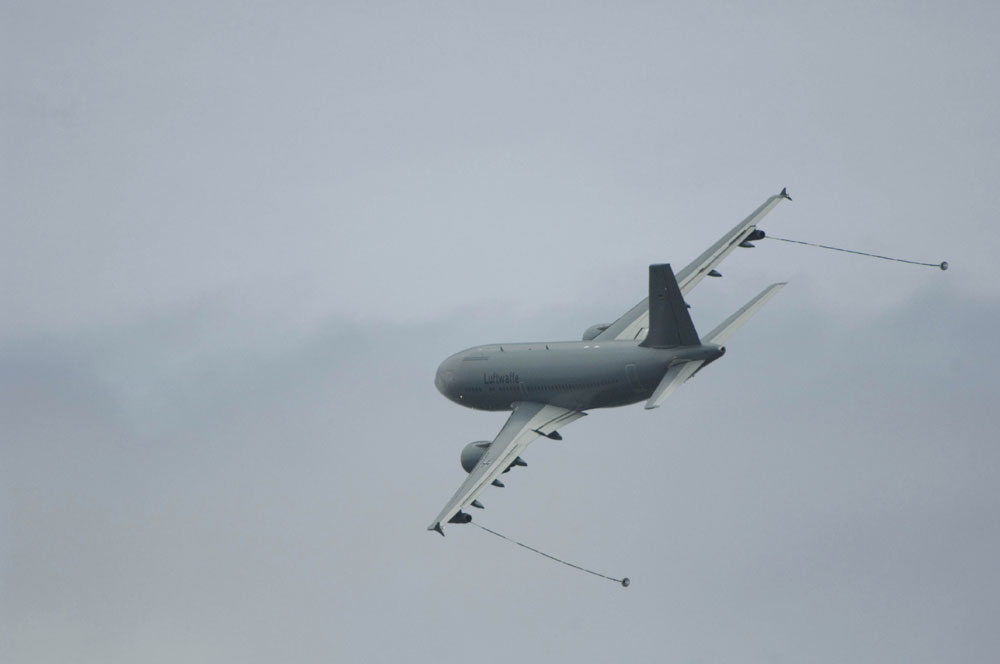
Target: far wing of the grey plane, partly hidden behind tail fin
<point>635,322</point>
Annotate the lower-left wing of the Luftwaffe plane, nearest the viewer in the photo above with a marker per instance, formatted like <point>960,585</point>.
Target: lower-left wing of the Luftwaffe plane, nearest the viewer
<point>528,421</point>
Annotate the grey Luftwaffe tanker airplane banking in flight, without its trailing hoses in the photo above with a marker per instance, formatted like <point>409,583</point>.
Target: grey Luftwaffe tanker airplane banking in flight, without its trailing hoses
<point>643,356</point>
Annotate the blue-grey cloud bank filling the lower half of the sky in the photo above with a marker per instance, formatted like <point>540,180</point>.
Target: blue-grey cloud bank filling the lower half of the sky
<point>276,492</point>
